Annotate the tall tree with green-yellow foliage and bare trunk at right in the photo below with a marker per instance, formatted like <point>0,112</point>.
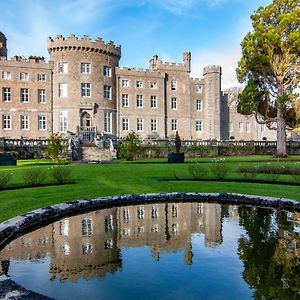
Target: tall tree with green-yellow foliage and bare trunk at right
<point>270,67</point>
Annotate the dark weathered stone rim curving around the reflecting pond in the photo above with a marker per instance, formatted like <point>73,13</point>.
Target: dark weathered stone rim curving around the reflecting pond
<point>11,228</point>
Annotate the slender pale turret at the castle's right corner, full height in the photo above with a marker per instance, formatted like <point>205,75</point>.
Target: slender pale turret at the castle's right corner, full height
<point>212,99</point>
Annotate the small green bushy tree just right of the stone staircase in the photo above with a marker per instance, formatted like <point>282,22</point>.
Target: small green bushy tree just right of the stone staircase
<point>130,146</point>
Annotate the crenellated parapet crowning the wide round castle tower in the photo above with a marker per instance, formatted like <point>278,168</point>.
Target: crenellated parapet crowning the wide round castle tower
<point>72,42</point>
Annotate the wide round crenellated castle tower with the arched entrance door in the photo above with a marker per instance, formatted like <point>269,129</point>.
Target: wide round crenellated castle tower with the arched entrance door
<point>84,81</point>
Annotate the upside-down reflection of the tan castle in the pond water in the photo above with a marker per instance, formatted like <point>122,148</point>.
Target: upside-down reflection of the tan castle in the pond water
<point>89,244</point>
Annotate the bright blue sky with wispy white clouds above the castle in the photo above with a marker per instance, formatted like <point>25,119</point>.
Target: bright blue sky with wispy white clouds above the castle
<point>211,30</point>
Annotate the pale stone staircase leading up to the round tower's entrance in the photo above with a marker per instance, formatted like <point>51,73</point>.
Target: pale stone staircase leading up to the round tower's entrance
<point>91,153</point>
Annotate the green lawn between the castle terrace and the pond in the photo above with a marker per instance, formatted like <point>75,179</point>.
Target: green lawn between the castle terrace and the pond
<point>142,176</point>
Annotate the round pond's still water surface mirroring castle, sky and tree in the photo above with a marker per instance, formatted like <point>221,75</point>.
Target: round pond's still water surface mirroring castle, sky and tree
<point>162,251</point>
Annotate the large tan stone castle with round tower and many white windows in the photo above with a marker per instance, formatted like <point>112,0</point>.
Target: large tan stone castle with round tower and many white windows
<point>83,91</point>
